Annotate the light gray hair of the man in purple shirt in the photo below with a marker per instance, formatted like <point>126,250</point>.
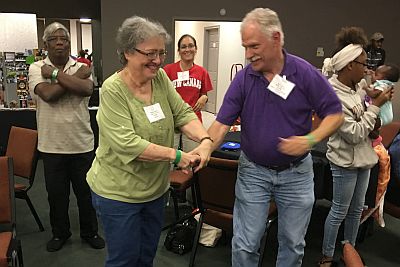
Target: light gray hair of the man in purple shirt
<point>267,19</point>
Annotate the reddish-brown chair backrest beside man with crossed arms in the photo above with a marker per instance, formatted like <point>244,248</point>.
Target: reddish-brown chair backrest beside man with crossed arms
<point>22,147</point>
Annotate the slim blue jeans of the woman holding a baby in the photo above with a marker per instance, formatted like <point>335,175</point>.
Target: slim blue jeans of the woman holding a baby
<point>349,188</point>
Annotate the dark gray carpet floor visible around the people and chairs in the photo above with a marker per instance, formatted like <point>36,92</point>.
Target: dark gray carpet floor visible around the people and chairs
<point>380,248</point>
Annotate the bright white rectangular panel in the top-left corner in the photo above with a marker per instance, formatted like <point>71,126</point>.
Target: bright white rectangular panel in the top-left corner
<point>18,32</point>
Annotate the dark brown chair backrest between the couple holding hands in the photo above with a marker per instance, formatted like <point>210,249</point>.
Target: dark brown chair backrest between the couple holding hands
<point>217,190</point>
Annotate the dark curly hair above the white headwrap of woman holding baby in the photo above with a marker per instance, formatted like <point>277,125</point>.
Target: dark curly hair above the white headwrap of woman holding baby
<point>350,35</point>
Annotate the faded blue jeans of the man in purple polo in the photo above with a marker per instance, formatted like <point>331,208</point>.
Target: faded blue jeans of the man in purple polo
<point>293,192</point>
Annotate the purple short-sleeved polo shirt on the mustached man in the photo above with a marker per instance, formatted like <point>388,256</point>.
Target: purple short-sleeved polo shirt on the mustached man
<point>266,116</point>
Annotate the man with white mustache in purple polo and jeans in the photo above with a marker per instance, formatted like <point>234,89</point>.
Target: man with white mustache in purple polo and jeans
<point>274,96</point>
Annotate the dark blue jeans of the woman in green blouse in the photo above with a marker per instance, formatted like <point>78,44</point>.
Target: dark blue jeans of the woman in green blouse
<point>132,230</point>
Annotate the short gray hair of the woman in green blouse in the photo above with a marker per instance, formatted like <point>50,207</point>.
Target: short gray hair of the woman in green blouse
<point>136,30</point>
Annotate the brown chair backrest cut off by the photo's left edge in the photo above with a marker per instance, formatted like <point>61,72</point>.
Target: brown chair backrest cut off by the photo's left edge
<point>7,198</point>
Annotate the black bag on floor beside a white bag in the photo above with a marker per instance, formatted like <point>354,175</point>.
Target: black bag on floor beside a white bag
<point>180,237</point>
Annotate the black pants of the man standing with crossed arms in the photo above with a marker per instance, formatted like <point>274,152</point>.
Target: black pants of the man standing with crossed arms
<point>60,170</point>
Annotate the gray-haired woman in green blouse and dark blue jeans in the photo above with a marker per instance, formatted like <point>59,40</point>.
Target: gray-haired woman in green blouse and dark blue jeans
<point>139,110</point>
